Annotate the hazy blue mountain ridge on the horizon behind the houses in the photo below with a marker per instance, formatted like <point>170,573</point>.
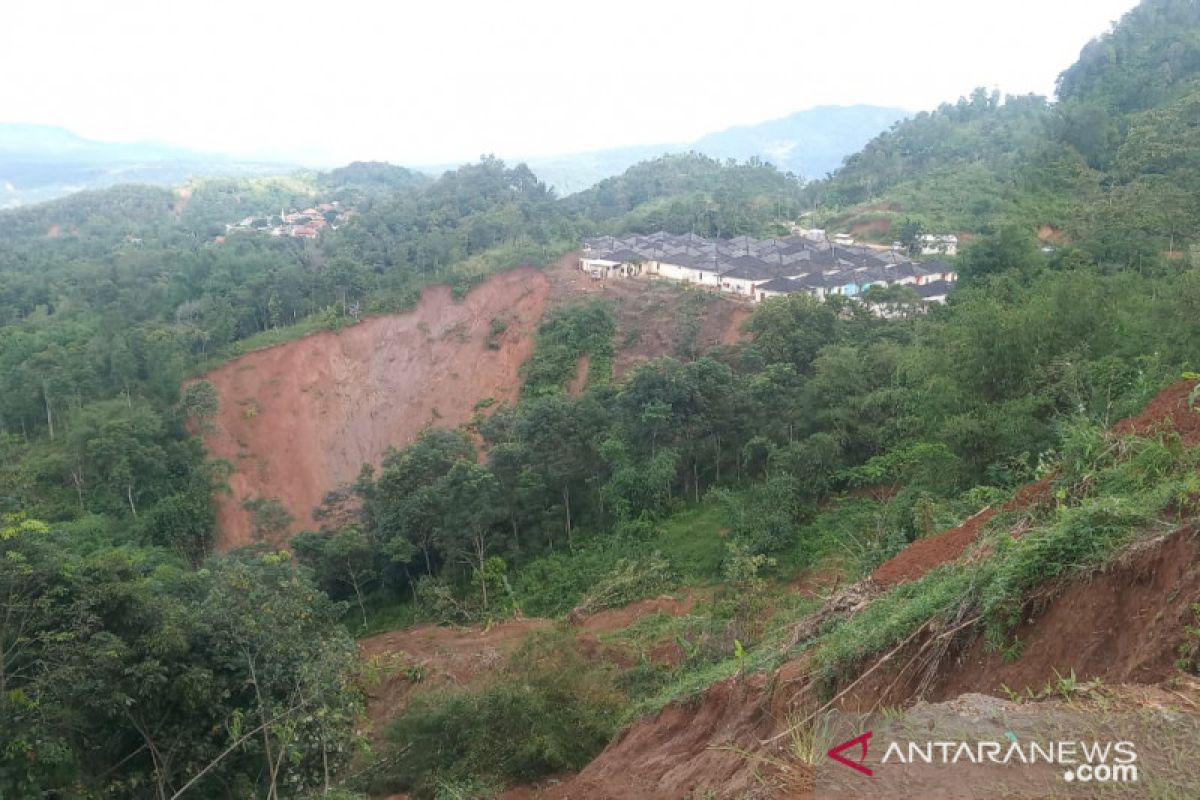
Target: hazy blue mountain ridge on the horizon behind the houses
<point>811,143</point>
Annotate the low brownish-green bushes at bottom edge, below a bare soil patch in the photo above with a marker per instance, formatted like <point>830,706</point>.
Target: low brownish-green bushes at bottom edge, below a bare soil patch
<point>550,712</point>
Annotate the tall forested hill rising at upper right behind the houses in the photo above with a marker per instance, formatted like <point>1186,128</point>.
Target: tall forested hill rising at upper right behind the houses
<point>1112,166</point>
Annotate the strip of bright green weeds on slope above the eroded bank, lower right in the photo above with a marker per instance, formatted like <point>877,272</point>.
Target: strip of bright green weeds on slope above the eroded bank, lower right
<point>1111,492</point>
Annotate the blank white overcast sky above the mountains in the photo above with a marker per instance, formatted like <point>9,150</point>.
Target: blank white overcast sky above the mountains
<point>445,81</point>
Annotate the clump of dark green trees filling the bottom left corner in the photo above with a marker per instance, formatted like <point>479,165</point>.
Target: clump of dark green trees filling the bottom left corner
<point>125,672</point>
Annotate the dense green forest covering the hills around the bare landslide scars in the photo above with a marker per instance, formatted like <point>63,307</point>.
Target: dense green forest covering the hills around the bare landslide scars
<point>137,663</point>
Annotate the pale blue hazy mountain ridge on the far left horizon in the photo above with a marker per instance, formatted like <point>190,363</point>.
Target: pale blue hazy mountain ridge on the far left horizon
<point>44,163</point>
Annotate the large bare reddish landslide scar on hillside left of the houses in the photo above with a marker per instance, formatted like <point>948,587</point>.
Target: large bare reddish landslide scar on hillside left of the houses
<point>301,419</point>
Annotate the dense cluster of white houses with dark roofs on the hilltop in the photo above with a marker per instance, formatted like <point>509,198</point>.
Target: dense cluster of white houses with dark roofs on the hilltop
<point>760,269</point>
